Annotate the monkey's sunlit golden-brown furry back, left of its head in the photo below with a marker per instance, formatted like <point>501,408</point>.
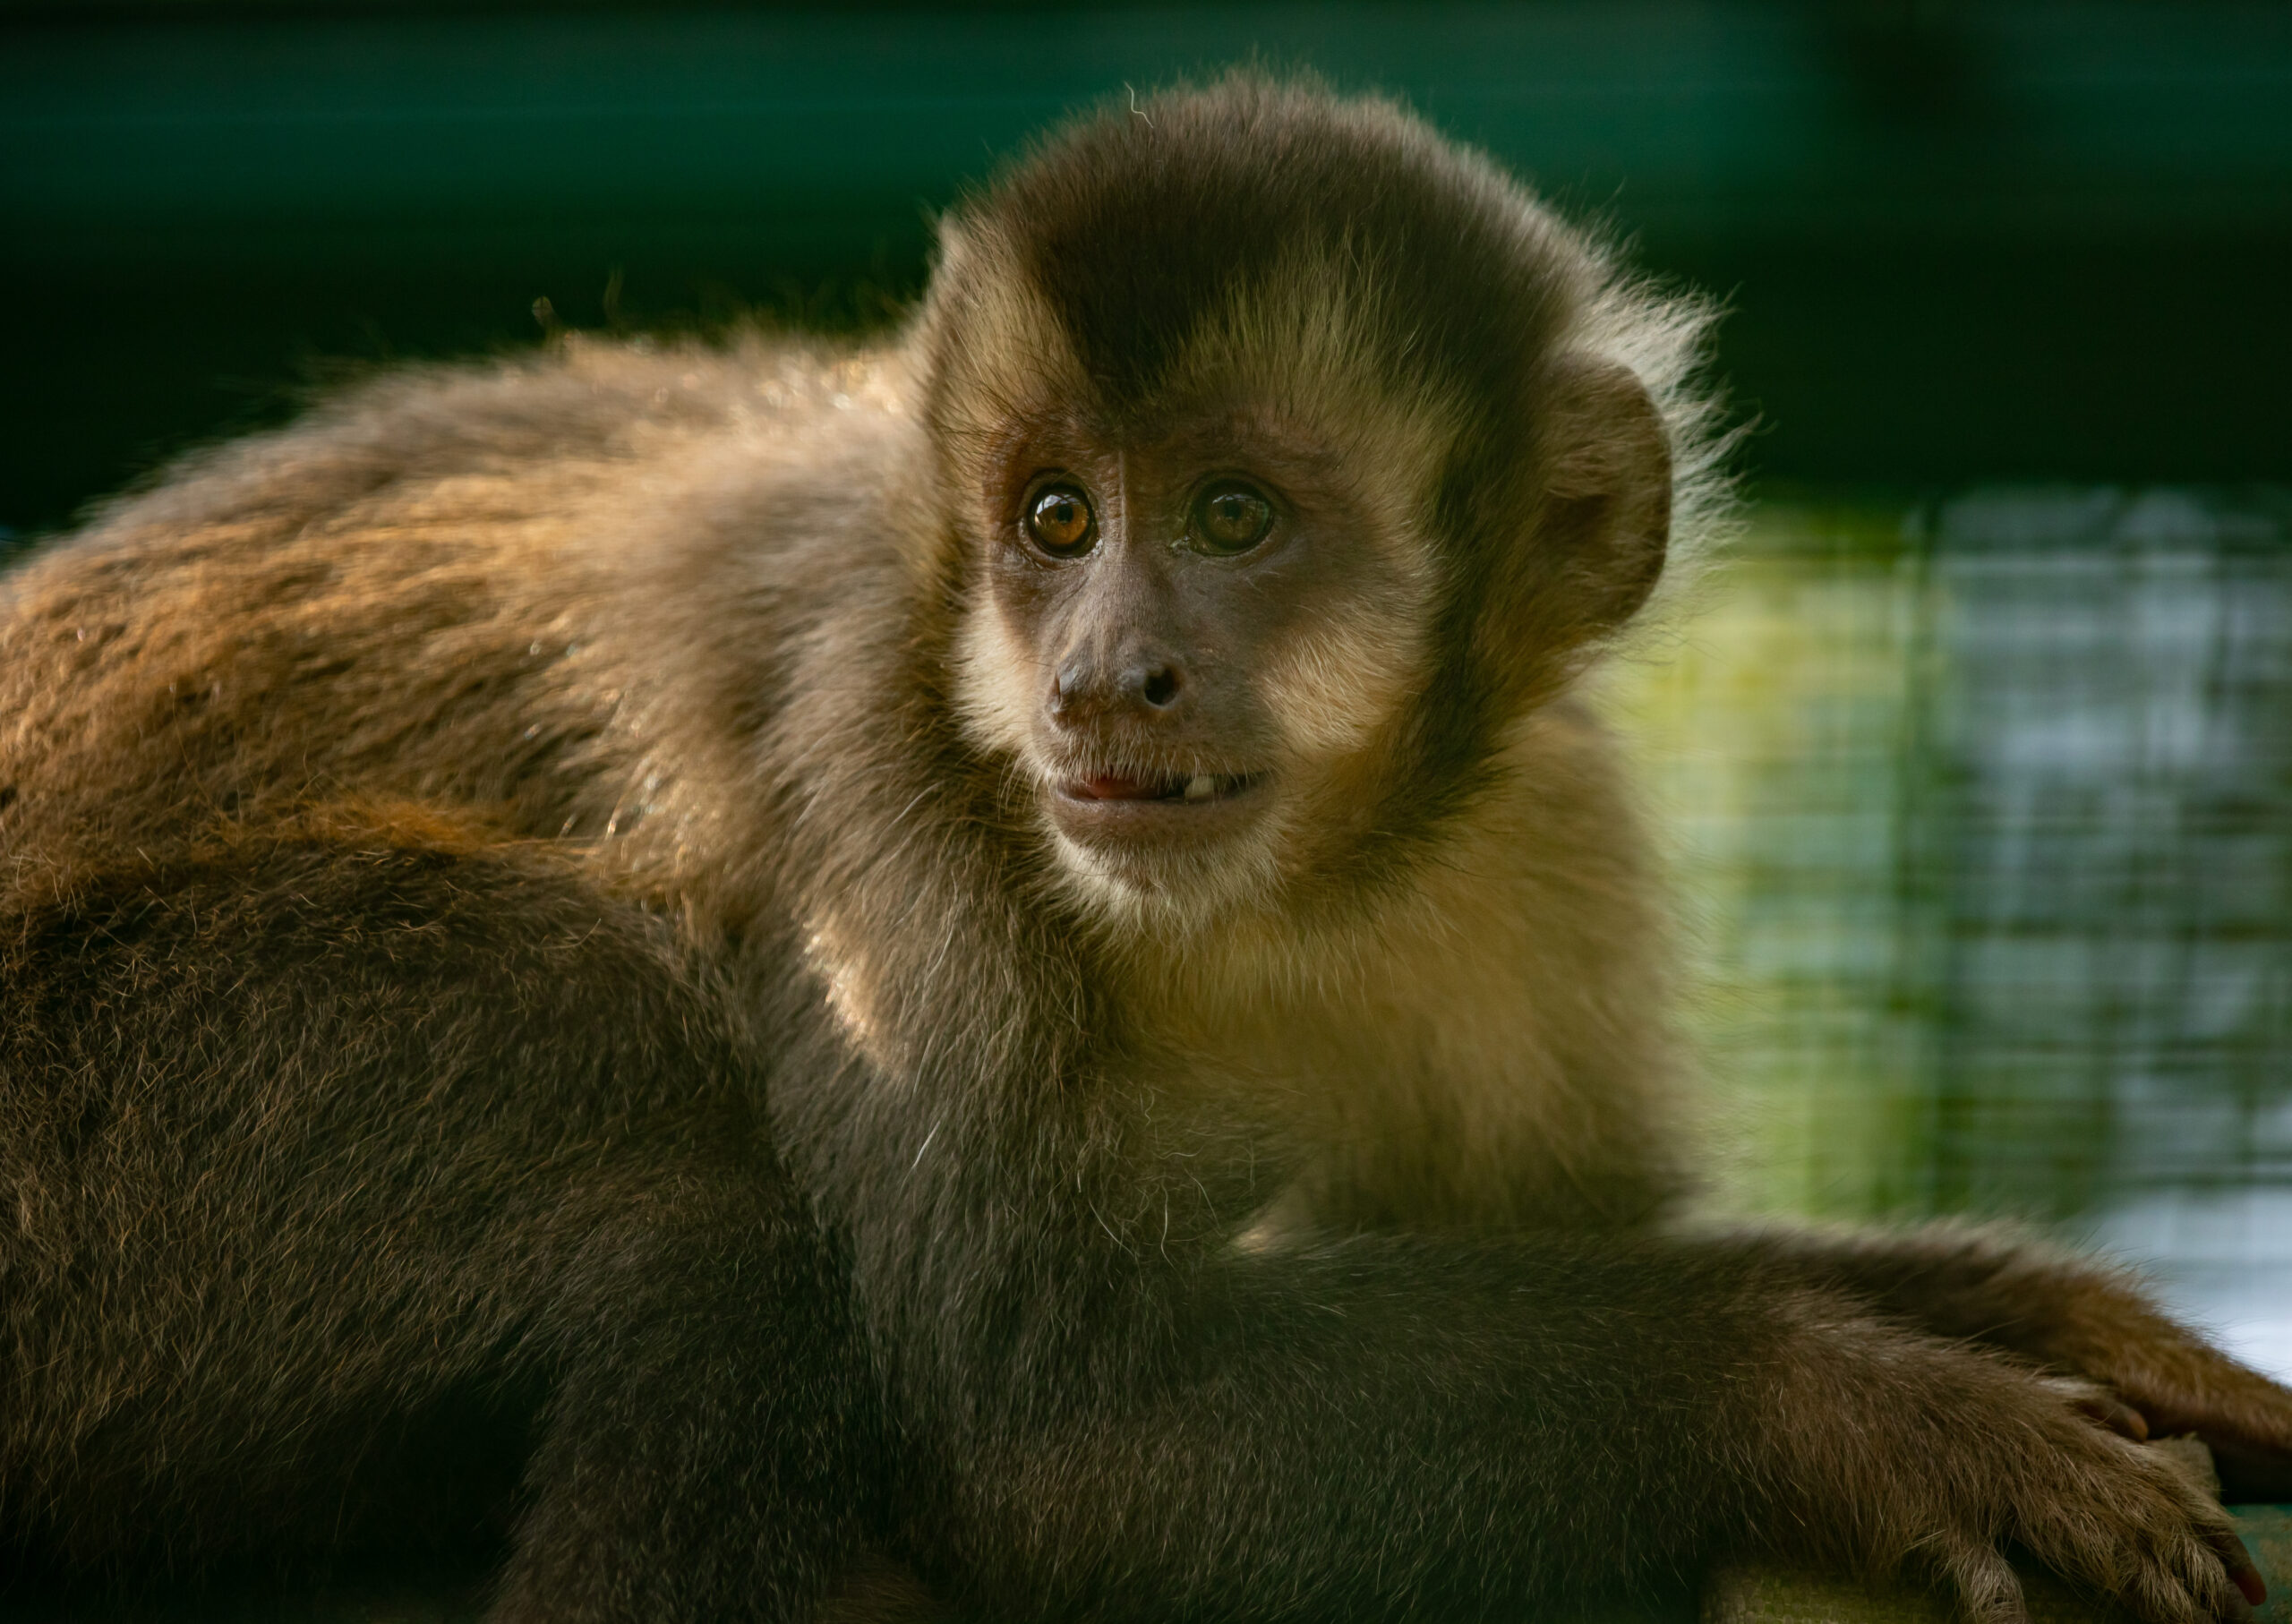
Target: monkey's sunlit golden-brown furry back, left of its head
<point>444,590</point>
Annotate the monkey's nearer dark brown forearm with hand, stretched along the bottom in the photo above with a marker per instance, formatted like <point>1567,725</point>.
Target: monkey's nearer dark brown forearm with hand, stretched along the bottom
<point>1397,1428</point>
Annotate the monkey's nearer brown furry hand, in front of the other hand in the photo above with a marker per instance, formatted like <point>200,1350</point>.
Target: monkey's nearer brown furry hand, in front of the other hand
<point>1906,1453</point>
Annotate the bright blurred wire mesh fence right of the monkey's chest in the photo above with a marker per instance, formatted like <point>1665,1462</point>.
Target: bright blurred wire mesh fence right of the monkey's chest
<point>1984,823</point>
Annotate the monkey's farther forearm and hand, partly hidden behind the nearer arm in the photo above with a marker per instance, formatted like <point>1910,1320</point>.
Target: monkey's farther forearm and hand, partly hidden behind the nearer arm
<point>2066,1314</point>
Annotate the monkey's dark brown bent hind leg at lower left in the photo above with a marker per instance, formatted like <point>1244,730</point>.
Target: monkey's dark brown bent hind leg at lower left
<point>359,1174</point>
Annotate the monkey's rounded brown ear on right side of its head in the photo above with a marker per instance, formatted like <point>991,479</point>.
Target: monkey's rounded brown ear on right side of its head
<point>1606,464</point>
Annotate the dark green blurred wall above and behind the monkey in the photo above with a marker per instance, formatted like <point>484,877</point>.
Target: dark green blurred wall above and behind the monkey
<point>1959,242</point>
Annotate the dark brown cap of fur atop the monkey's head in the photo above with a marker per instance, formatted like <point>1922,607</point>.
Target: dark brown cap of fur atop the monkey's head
<point>1147,219</point>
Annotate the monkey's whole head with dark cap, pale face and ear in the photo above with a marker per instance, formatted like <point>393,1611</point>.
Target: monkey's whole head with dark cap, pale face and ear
<point>1289,455</point>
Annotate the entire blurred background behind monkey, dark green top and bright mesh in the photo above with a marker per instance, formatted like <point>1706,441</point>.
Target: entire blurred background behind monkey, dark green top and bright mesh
<point>1979,757</point>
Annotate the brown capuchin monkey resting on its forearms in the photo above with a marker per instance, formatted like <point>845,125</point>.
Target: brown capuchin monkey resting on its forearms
<point>1012,949</point>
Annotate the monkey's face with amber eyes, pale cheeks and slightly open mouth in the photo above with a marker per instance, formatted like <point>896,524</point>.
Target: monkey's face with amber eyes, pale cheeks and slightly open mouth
<point>1193,642</point>
